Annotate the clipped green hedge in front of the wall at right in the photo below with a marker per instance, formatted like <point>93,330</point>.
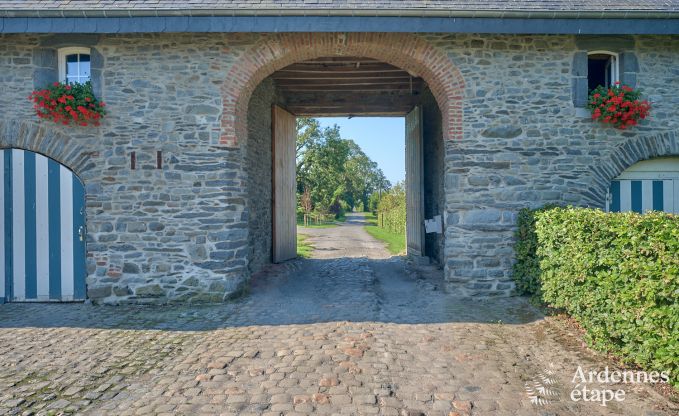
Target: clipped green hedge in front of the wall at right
<point>618,276</point>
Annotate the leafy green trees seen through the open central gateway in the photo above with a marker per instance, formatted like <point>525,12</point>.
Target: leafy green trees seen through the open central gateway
<point>335,171</point>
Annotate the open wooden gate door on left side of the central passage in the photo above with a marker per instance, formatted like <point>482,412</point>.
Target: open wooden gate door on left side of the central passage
<point>284,138</point>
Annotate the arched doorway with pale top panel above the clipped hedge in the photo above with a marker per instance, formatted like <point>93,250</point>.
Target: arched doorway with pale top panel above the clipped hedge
<point>649,185</point>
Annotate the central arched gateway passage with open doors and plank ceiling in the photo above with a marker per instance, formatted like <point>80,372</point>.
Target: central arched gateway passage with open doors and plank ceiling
<point>339,86</point>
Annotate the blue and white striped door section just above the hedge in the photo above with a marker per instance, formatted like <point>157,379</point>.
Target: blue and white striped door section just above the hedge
<point>644,195</point>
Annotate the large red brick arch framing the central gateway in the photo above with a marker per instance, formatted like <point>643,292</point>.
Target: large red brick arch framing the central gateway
<point>406,51</point>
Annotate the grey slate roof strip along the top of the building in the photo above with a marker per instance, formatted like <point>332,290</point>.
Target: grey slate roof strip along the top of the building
<point>380,6</point>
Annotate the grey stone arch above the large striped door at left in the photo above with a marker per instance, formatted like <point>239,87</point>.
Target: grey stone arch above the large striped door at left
<point>41,139</point>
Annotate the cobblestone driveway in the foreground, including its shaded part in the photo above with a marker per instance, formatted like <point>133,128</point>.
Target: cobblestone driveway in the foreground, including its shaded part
<point>325,336</point>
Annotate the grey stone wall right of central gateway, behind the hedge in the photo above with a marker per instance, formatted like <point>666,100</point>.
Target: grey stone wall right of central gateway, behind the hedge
<point>525,146</point>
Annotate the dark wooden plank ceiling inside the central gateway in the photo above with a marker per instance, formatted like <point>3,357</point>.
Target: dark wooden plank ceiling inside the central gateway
<point>347,86</point>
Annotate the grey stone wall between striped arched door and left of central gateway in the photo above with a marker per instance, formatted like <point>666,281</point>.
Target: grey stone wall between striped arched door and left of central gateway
<point>176,233</point>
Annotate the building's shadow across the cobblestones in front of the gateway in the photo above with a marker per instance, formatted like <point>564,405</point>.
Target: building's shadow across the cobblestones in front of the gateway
<point>308,291</point>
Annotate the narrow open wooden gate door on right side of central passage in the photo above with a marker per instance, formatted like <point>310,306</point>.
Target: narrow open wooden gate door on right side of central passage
<point>414,184</point>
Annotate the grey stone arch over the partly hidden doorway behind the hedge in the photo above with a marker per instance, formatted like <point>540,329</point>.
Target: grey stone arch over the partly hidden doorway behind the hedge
<point>627,154</point>
